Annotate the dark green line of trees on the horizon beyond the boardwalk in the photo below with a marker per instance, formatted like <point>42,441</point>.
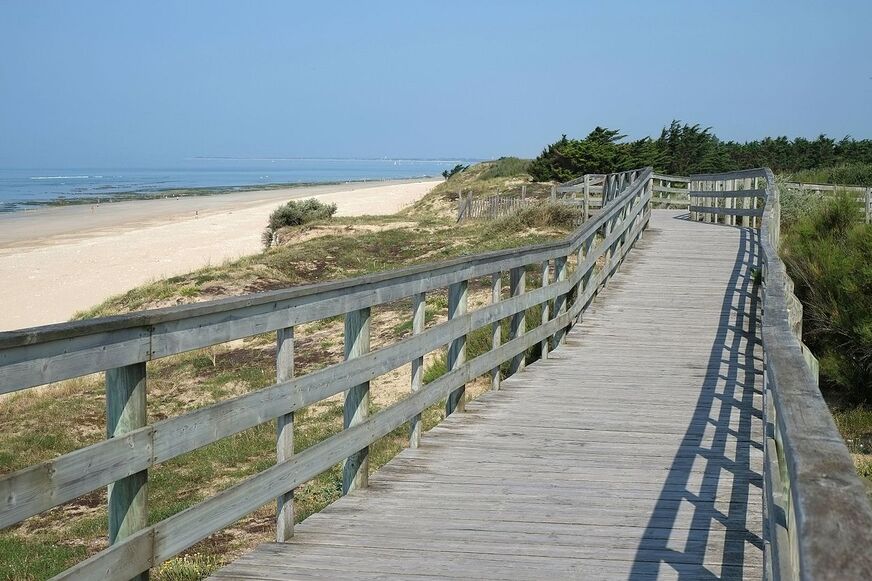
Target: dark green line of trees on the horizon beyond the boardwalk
<point>684,149</point>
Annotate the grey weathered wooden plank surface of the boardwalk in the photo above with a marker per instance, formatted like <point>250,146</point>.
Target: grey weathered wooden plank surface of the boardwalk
<point>634,452</point>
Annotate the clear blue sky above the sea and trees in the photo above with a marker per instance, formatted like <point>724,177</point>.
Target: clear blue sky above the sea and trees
<point>145,83</point>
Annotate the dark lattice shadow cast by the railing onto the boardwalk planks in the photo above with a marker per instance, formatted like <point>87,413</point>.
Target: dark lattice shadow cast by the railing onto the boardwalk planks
<point>705,444</point>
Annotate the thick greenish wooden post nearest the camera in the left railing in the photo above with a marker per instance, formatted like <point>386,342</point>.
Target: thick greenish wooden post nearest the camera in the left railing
<point>125,412</point>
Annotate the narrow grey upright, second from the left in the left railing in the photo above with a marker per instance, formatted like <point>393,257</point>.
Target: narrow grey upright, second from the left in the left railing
<point>285,433</point>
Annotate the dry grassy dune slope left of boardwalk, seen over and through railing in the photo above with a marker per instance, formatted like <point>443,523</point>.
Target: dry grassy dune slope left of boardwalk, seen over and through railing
<point>30,432</point>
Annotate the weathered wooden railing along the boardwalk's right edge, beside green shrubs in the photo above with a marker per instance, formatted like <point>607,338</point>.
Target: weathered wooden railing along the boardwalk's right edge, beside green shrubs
<point>817,519</point>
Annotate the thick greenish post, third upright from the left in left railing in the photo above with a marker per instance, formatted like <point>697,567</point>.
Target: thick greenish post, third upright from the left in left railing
<point>355,471</point>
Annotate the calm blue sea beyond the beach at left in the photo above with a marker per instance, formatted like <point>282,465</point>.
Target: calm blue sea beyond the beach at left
<point>21,188</point>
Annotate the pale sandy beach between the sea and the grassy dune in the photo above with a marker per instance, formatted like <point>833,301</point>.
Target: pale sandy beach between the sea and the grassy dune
<point>57,261</point>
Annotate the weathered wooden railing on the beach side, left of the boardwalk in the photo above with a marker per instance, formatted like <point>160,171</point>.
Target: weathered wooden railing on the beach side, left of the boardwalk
<point>122,345</point>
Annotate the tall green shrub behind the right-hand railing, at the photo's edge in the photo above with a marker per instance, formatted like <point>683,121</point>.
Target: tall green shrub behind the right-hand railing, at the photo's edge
<point>827,252</point>
